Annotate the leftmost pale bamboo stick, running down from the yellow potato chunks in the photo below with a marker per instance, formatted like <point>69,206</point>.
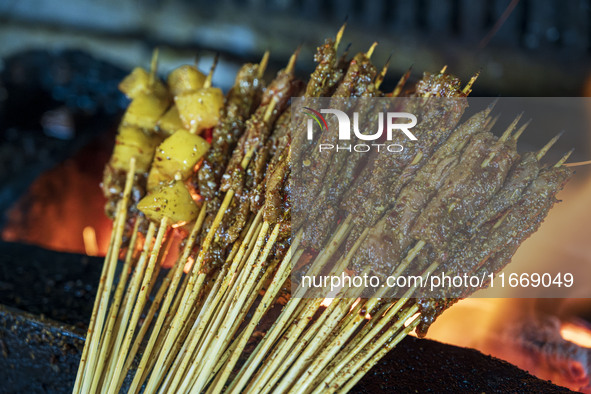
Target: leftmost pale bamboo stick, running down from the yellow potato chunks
<point>121,217</point>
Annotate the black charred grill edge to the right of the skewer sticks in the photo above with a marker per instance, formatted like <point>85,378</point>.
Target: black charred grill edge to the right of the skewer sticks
<point>425,366</point>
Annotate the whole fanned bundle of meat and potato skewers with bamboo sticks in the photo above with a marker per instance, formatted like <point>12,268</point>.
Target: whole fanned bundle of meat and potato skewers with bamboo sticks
<point>216,173</point>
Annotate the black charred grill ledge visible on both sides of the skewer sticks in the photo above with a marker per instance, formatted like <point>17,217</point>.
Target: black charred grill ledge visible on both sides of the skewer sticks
<point>37,355</point>
